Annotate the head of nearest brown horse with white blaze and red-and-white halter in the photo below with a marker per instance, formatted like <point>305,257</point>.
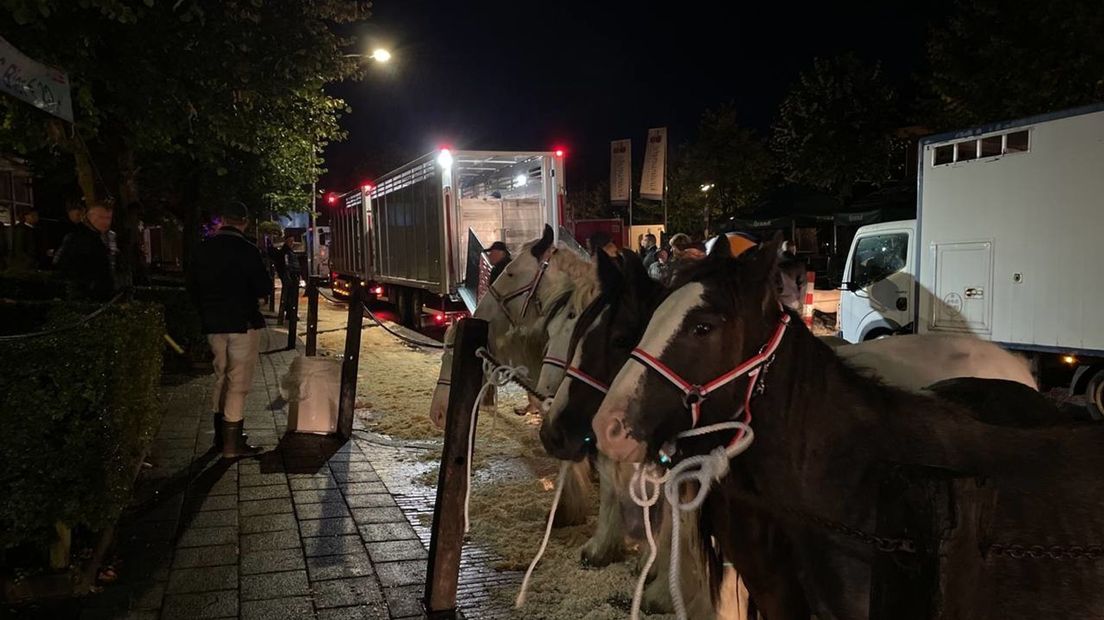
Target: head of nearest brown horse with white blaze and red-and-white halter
<point>718,316</point>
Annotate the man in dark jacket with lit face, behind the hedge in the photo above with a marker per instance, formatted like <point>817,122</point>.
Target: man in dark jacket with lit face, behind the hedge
<point>87,256</point>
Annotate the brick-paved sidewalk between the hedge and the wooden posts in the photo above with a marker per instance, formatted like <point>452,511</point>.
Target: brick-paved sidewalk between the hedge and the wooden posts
<point>305,531</point>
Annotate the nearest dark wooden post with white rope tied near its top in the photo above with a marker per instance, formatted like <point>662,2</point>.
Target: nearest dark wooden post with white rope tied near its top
<point>444,563</point>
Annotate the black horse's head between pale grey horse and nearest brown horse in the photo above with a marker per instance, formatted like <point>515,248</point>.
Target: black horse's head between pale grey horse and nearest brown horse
<point>603,337</point>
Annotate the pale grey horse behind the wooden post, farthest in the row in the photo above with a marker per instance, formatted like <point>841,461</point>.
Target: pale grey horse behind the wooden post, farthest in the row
<point>534,290</point>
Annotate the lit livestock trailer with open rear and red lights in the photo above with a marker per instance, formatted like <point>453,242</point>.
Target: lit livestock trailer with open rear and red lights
<point>416,236</point>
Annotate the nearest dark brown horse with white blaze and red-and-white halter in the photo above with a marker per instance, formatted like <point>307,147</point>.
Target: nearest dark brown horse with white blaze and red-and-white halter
<point>721,348</point>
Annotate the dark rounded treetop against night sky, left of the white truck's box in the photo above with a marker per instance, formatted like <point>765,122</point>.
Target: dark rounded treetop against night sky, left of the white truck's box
<point>836,127</point>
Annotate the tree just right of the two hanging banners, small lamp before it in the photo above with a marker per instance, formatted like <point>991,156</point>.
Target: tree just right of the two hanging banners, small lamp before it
<point>730,162</point>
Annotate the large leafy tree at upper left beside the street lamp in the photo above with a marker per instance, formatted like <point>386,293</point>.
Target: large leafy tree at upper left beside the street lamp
<point>186,103</point>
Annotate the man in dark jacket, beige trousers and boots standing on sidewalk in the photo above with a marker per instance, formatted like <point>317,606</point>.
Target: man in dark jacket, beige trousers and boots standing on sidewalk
<point>226,281</point>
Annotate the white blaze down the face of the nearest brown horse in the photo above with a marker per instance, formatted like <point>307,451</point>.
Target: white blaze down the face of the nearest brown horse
<point>622,403</point>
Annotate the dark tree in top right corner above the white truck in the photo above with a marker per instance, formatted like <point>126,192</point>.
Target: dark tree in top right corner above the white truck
<point>997,60</point>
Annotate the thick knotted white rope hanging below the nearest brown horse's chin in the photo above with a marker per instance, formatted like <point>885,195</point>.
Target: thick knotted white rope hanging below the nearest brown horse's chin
<point>705,471</point>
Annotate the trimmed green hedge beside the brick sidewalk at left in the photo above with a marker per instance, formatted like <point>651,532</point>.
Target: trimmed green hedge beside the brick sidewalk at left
<point>79,410</point>
